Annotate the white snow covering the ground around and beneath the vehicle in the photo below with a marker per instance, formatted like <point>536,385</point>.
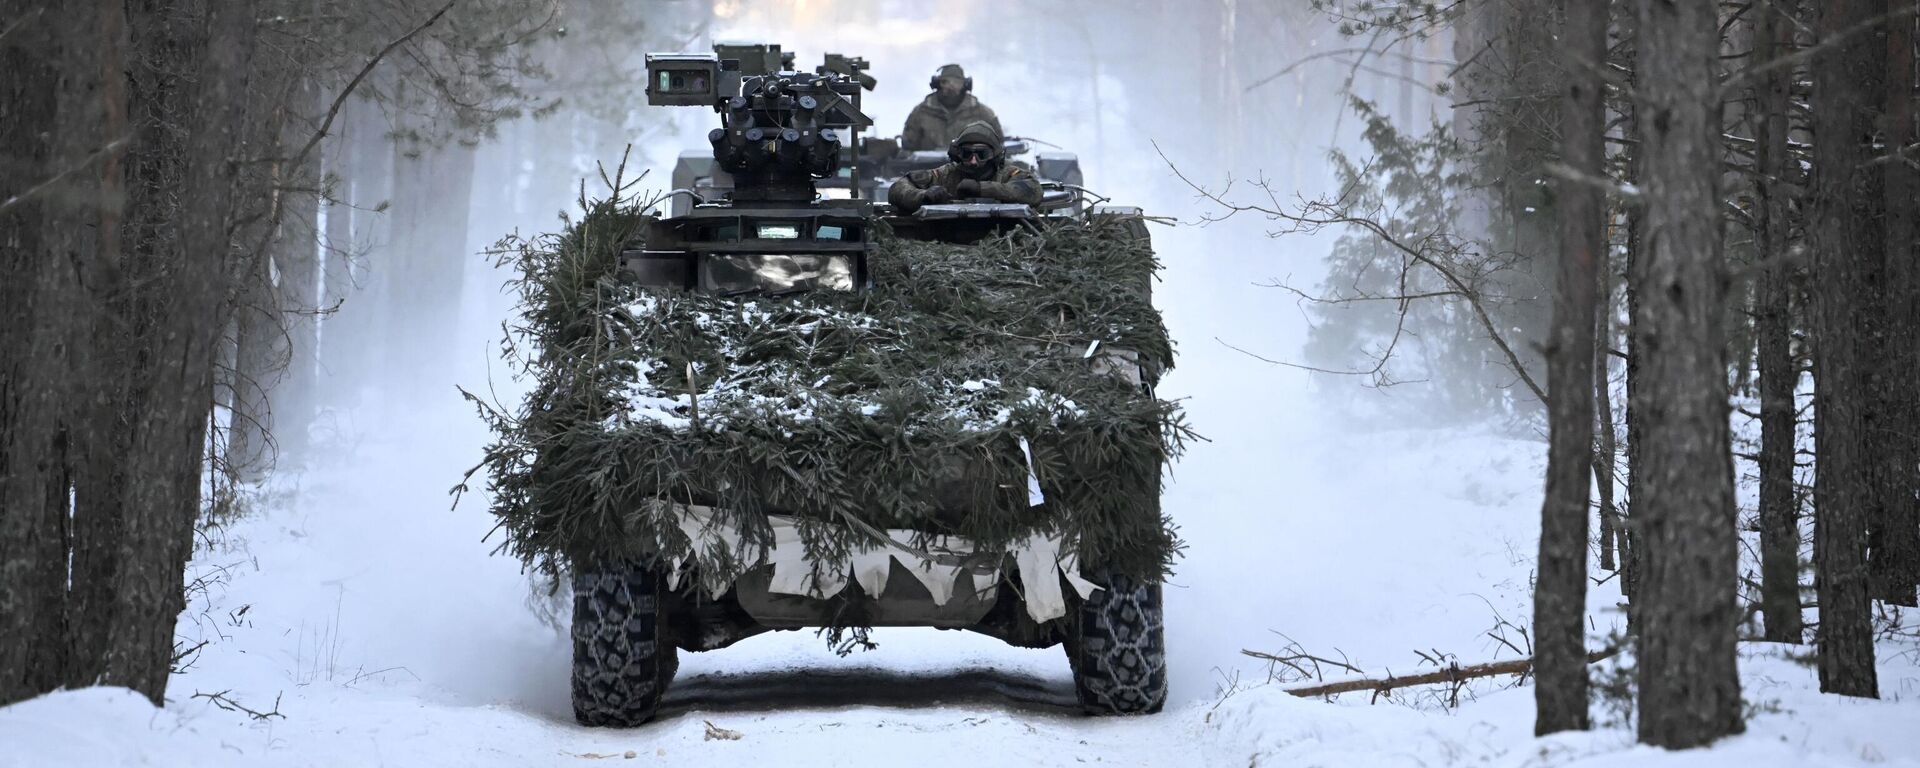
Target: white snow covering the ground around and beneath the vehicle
<point>379,627</point>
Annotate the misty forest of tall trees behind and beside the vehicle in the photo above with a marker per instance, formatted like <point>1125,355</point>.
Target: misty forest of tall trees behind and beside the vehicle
<point>226,220</point>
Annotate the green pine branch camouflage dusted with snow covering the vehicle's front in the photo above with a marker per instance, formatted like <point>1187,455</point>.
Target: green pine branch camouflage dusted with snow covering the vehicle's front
<point>898,408</point>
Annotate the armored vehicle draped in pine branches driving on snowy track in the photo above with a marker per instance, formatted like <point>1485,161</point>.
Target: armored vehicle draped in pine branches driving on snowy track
<point>842,418</point>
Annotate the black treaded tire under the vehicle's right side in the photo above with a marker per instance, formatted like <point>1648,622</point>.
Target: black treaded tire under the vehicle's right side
<point>1118,650</point>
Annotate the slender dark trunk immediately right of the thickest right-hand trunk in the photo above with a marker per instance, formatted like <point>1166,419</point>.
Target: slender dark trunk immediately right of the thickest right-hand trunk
<point>1775,327</point>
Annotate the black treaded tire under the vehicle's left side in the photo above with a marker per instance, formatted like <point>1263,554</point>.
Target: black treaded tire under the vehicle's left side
<point>623,658</point>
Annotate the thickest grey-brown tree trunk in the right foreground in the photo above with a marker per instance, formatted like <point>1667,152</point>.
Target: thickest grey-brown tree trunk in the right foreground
<point>1689,684</point>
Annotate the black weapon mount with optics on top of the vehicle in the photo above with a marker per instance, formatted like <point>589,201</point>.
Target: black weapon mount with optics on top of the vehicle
<point>782,130</point>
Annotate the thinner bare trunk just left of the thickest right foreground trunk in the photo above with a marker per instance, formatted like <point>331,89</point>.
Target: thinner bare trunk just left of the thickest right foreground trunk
<point>1560,590</point>
